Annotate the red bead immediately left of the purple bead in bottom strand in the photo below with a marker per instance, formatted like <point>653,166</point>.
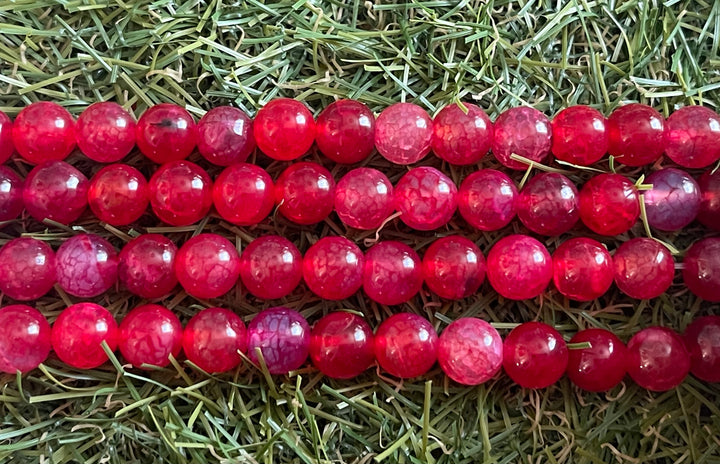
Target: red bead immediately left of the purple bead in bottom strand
<point>213,338</point>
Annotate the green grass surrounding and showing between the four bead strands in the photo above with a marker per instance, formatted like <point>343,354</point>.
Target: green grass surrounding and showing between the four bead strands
<point>499,54</point>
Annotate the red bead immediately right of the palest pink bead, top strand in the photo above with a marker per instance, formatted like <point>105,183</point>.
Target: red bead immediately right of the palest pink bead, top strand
<point>461,137</point>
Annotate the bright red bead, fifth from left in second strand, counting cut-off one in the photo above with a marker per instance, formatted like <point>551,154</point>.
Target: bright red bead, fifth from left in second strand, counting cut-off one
<point>243,194</point>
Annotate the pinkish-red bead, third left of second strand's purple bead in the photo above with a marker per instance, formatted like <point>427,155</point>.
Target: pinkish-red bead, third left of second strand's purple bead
<point>487,199</point>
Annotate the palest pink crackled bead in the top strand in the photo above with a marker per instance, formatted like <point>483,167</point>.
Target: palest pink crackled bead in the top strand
<point>403,133</point>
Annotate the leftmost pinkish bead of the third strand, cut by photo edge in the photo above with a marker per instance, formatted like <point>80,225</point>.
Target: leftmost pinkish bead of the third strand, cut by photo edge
<point>27,269</point>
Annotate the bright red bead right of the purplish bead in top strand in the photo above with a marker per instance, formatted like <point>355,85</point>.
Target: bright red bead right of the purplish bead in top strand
<point>284,129</point>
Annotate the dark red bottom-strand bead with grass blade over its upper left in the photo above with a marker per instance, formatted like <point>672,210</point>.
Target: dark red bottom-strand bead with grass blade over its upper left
<point>602,365</point>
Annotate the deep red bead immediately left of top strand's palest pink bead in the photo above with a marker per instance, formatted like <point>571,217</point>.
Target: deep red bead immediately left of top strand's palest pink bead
<point>346,131</point>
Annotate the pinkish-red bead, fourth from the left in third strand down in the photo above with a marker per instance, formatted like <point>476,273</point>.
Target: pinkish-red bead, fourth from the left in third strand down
<point>207,266</point>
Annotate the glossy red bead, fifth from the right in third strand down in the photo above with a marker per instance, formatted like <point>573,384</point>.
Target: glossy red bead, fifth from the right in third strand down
<point>453,267</point>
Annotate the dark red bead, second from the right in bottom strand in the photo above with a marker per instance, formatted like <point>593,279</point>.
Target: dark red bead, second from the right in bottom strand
<point>658,359</point>
